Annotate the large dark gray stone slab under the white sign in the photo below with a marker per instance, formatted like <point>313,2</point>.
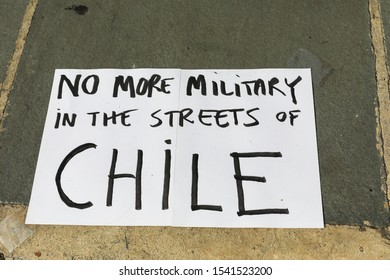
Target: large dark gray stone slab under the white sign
<point>213,34</point>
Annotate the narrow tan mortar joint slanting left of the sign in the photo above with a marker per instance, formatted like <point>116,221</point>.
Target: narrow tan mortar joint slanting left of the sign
<point>6,86</point>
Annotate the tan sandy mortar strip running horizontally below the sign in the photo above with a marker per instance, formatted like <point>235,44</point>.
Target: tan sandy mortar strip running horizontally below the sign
<point>134,243</point>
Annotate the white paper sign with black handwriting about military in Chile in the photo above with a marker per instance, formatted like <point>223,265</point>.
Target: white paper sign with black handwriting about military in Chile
<point>205,148</point>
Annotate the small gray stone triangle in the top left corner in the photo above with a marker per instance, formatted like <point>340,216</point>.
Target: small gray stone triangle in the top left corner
<point>11,15</point>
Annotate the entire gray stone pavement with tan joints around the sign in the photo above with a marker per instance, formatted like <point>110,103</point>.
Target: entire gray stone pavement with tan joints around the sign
<point>342,41</point>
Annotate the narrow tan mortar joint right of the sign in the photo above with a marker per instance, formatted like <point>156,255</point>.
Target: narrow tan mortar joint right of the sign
<point>382,83</point>
